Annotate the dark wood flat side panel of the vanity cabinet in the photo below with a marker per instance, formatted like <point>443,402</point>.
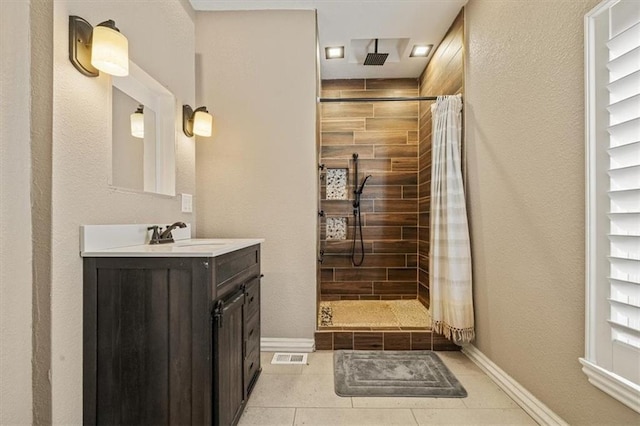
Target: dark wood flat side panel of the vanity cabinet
<point>146,342</point>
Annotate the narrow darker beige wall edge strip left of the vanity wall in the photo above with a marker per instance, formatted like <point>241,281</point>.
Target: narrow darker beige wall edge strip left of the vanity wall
<point>41,36</point>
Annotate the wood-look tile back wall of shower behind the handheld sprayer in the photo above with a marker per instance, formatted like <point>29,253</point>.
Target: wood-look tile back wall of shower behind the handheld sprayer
<point>385,136</point>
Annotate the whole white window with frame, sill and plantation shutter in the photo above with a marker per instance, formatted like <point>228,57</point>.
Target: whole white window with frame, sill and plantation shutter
<point>612,59</point>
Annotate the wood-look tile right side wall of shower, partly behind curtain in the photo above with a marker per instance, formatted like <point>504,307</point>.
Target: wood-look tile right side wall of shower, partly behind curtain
<point>443,76</point>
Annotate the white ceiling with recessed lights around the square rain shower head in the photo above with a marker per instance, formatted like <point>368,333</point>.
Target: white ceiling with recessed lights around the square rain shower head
<point>354,24</point>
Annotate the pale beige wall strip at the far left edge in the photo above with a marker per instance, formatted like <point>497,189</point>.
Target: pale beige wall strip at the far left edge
<point>15,216</point>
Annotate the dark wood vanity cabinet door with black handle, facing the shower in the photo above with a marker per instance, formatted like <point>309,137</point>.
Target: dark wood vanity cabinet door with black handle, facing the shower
<point>228,360</point>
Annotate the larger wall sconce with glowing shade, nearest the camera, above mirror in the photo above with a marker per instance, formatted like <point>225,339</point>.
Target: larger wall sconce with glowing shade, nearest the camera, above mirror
<point>102,48</point>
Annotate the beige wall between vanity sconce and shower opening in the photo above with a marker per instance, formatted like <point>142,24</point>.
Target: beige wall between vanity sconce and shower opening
<point>256,177</point>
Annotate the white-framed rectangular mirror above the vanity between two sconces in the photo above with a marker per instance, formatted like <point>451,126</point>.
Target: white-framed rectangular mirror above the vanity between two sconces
<point>143,163</point>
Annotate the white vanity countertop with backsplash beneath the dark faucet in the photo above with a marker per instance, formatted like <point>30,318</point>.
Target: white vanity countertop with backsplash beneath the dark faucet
<point>133,241</point>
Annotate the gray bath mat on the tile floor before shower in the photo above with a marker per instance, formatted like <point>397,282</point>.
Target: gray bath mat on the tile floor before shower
<point>394,373</point>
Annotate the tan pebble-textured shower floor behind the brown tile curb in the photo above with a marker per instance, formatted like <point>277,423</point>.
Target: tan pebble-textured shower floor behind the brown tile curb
<point>385,314</point>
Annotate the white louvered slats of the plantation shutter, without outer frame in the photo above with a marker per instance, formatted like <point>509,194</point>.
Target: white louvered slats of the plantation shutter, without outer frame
<point>624,190</point>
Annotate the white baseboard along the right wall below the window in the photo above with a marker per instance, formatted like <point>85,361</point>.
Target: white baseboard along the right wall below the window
<point>533,406</point>
